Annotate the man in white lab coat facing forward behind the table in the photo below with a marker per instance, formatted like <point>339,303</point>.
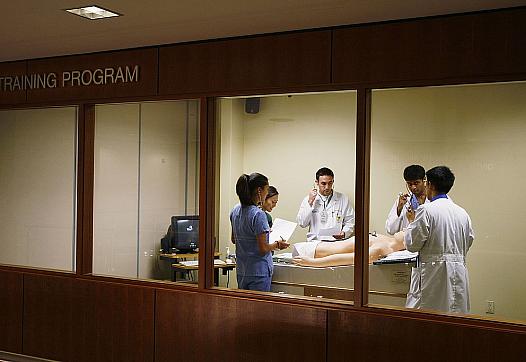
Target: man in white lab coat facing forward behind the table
<point>327,213</point>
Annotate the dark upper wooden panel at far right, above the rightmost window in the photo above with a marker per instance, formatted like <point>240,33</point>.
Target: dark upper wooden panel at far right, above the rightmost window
<point>451,47</point>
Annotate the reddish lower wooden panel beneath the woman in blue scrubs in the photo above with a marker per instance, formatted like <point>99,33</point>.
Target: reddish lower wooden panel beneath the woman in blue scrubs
<point>202,327</point>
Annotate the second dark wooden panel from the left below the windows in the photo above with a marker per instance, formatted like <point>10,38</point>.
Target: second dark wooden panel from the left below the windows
<point>70,319</point>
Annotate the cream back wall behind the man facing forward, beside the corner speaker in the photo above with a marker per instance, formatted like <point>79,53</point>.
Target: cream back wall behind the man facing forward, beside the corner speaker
<point>292,137</point>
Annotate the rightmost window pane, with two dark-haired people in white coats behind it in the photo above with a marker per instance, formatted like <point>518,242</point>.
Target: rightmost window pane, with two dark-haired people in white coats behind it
<point>478,131</point>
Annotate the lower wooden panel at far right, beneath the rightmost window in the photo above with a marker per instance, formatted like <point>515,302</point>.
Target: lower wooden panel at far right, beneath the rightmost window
<point>369,337</point>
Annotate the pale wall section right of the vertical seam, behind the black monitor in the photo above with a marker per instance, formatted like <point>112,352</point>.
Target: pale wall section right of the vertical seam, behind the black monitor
<point>168,185</point>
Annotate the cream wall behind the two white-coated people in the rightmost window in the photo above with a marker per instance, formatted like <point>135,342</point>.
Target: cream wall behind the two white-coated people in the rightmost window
<point>480,132</point>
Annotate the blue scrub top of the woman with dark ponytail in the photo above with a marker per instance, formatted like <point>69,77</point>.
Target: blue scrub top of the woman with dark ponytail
<point>248,222</point>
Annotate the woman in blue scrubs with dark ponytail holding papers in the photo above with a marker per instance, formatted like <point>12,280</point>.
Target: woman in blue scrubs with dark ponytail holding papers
<point>250,232</point>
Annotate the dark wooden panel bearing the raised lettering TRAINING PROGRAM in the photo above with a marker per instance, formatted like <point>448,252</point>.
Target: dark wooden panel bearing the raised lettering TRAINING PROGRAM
<point>98,77</point>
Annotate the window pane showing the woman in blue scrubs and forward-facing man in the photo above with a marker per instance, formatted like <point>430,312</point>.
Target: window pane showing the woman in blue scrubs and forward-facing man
<point>288,138</point>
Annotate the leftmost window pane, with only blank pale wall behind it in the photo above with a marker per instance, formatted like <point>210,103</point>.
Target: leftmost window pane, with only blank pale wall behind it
<point>38,187</point>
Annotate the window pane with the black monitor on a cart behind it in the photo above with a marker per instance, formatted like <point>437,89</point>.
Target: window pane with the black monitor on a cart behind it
<point>146,190</point>
